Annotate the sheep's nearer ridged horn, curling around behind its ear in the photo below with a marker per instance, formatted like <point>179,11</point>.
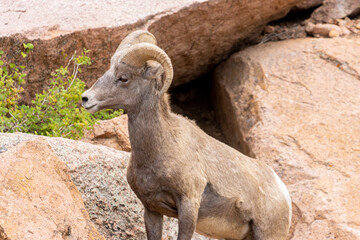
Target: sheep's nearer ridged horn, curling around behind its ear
<point>138,54</point>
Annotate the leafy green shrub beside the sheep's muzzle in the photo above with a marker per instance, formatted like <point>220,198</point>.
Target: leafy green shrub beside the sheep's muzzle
<point>55,112</point>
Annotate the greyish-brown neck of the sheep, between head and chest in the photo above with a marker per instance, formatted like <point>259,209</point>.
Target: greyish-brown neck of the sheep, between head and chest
<point>147,128</point>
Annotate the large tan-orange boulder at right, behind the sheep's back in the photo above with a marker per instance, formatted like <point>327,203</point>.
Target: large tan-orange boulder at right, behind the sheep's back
<point>295,105</point>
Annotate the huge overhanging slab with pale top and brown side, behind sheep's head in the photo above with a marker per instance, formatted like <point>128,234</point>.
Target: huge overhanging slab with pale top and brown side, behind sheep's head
<point>197,34</point>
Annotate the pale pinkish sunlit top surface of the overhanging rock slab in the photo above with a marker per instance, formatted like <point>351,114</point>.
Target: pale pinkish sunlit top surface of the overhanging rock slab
<point>47,20</point>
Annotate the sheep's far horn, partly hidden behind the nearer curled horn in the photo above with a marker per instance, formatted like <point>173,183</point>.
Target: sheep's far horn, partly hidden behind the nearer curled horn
<point>133,38</point>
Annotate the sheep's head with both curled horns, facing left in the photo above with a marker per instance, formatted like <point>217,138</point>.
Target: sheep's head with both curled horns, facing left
<point>139,70</point>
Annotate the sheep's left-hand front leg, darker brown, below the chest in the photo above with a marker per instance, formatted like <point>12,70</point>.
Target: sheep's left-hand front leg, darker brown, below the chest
<point>153,225</point>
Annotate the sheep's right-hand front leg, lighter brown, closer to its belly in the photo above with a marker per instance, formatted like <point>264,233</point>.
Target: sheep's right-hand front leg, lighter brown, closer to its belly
<point>187,215</point>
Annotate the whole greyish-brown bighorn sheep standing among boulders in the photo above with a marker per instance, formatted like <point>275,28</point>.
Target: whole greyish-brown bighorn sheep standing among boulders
<point>175,168</point>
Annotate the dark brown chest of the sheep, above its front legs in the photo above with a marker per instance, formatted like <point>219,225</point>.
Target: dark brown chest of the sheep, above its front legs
<point>148,186</point>
